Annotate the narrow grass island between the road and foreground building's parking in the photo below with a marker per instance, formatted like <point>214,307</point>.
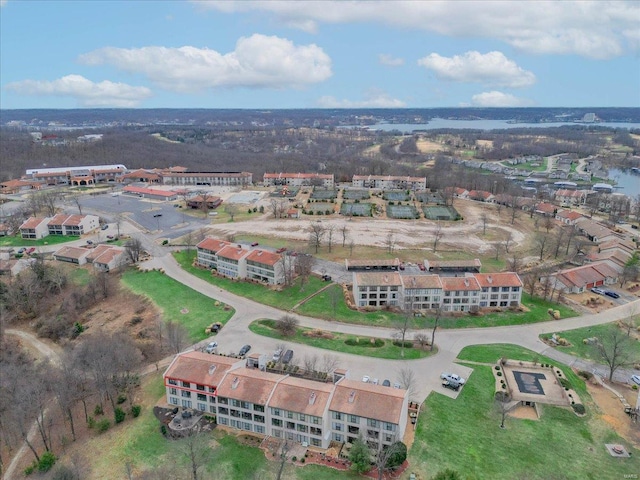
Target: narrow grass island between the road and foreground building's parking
<point>388,350</point>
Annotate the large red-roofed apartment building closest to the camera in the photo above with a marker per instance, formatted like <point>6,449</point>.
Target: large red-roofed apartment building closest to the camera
<point>304,411</point>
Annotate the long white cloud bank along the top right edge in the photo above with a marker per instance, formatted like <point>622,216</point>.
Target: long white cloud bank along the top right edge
<point>589,29</point>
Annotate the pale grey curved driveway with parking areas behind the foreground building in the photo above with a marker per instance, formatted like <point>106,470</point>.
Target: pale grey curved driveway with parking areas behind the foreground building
<point>426,370</point>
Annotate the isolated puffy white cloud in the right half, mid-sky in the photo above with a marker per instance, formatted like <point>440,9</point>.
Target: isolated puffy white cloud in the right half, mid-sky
<point>492,68</point>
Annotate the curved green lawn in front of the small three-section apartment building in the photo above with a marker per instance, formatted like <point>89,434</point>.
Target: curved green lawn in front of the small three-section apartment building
<point>285,299</point>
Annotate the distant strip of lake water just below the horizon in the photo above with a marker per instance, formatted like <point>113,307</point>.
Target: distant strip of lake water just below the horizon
<point>438,123</point>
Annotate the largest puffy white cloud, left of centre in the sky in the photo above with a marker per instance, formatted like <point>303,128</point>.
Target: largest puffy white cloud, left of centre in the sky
<point>258,61</point>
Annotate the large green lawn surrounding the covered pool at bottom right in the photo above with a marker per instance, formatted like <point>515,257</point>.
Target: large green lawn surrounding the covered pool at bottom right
<point>464,434</point>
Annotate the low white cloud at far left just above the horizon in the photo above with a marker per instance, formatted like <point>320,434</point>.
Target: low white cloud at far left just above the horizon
<point>86,92</point>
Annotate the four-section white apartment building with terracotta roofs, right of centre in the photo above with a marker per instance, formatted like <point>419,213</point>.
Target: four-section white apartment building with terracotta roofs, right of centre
<point>429,292</point>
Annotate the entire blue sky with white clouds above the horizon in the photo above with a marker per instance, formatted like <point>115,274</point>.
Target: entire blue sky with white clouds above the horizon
<point>299,54</point>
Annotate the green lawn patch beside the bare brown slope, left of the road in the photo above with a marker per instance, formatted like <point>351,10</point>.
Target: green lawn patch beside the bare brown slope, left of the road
<point>172,297</point>
